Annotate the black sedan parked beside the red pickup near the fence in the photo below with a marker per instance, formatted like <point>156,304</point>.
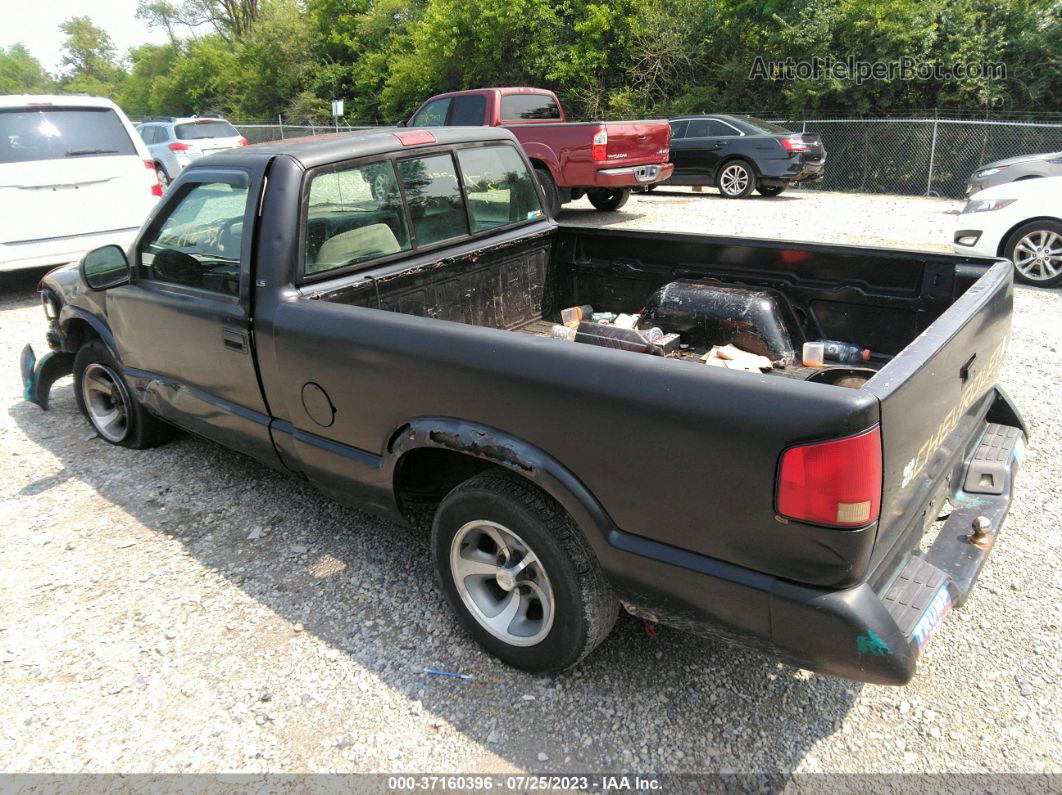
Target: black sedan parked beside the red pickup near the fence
<point>739,154</point>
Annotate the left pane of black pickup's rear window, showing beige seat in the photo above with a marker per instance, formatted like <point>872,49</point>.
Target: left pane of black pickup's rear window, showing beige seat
<point>354,216</point>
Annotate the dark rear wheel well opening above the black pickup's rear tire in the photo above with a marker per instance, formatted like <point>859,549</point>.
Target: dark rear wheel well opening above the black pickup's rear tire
<point>425,476</point>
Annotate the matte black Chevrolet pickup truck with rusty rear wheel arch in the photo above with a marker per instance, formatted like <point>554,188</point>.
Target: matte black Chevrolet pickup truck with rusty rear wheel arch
<point>374,313</point>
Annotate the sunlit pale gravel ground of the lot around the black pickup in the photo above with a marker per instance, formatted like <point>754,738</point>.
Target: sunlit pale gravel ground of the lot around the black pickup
<point>187,610</point>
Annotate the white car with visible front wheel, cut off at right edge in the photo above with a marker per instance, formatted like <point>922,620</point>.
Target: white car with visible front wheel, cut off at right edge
<point>1021,221</point>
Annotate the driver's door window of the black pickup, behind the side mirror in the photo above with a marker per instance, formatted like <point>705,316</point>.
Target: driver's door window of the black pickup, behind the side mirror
<point>199,243</point>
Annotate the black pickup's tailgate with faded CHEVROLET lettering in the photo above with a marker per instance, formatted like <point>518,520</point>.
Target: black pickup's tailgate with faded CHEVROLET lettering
<point>935,395</point>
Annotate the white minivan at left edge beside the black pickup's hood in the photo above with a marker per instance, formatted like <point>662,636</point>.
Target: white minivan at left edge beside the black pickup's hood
<point>74,176</point>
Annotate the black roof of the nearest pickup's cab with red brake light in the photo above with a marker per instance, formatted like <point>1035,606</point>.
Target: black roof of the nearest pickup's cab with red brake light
<point>321,150</point>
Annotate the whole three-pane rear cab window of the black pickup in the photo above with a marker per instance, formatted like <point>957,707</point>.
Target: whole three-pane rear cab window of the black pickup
<point>361,214</point>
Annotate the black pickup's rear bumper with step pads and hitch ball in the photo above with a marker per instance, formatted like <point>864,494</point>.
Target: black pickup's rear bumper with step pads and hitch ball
<point>873,632</point>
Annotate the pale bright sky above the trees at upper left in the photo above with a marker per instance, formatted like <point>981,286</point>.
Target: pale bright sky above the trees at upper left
<point>38,27</point>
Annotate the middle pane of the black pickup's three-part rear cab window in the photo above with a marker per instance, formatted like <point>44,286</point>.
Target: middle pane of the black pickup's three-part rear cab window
<point>434,195</point>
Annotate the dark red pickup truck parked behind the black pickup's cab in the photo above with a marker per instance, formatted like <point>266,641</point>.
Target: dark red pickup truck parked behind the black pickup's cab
<point>603,161</point>
